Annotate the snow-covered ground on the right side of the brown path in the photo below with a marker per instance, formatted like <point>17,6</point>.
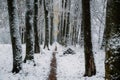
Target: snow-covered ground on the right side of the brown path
<point>71,67</point>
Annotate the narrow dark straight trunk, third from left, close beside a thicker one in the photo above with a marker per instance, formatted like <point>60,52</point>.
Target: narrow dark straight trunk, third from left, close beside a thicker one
<point>36,42</point>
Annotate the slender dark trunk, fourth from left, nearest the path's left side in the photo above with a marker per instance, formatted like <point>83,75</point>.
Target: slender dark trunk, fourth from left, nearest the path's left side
<point>46,44</point>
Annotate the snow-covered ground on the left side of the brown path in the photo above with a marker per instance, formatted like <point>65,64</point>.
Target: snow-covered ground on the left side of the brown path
<point>29,72</point>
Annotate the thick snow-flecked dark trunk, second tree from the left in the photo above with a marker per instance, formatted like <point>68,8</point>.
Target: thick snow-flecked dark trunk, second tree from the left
<point>29,31</point>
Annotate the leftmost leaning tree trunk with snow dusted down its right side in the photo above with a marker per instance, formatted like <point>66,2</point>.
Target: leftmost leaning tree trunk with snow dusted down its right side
<point>15,36</point>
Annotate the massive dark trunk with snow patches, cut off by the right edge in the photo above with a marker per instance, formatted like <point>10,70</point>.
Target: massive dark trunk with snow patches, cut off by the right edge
<point>112,47</point>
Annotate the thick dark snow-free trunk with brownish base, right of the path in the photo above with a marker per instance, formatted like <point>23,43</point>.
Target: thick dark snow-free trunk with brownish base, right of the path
<point>90,68</point>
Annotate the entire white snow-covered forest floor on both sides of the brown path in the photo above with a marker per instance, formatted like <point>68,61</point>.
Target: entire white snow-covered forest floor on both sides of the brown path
<point>69,67</point>
